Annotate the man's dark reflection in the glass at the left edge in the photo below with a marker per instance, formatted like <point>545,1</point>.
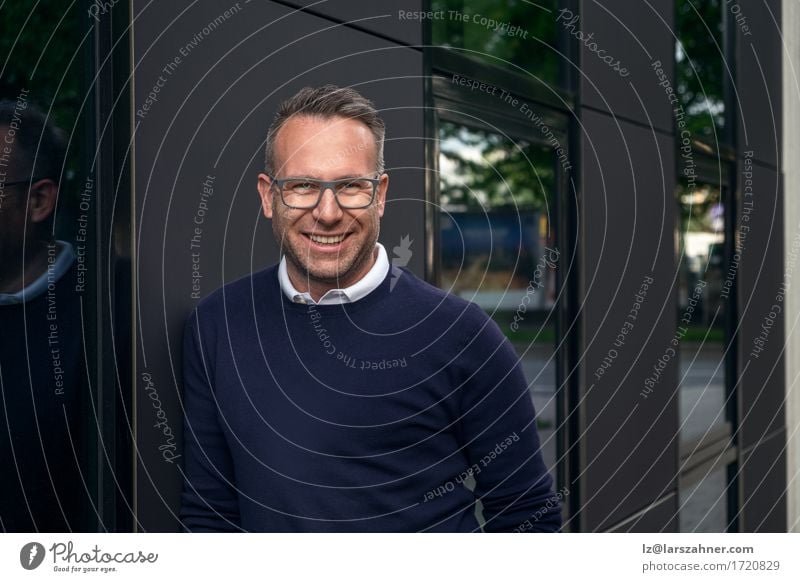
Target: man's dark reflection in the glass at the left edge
<point>40,331</point>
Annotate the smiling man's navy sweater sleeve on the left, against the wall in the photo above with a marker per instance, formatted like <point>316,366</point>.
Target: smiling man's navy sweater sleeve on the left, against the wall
<point>209,501</point>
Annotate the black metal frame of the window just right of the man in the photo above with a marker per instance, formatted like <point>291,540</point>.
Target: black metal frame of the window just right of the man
<point>447,101</point>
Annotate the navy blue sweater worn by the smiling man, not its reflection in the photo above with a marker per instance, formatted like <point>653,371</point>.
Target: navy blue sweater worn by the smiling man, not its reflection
<point>369,416</point>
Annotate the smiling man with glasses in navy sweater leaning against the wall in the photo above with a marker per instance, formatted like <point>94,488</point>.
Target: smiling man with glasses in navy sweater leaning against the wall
<point>333,392</point>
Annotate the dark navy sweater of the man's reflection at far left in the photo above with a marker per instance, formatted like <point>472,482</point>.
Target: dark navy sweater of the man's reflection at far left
<point>41,397</point>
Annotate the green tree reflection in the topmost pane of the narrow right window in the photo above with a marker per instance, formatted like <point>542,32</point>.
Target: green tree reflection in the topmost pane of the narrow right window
<point>700,65</point>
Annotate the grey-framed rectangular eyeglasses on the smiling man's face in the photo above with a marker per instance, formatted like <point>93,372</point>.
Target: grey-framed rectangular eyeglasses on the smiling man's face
<point>305,193</point>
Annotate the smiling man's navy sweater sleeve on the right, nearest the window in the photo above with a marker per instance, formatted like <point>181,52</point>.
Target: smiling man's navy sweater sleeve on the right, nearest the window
<point>498,429</point>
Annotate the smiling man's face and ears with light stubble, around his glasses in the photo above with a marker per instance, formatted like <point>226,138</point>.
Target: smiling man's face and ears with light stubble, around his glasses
<point>325,149</point>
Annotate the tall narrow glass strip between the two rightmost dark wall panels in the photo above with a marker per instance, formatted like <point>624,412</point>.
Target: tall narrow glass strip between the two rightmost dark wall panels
<point>706,294</point>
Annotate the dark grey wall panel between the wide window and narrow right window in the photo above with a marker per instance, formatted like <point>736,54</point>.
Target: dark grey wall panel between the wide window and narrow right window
<point>628,463</point>
